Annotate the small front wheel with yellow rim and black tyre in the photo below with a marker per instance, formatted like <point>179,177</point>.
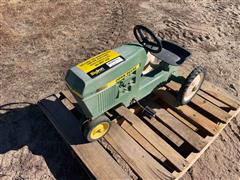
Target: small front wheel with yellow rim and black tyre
<point>96,128</point>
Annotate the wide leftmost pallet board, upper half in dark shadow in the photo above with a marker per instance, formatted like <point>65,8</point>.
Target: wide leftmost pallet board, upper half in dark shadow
<point>93,155</point>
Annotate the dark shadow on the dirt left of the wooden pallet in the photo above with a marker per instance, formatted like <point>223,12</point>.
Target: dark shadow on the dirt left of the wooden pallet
<point>27,126</point>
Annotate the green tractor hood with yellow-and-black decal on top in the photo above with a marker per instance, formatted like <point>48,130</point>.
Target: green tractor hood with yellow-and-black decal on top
<point>105,69</point>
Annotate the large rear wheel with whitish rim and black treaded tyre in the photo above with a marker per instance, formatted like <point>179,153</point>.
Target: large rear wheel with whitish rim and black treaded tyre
<point>191,85</point>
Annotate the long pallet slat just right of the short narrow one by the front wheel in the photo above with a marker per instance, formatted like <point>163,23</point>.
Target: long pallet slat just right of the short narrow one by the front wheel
<point>173,156</point>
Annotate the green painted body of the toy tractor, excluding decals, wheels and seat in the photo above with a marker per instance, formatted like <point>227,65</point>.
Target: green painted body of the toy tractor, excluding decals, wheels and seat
<point>93,102</point>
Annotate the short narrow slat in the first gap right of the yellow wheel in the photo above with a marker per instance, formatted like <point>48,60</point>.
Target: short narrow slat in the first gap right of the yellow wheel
<point>142,141</point>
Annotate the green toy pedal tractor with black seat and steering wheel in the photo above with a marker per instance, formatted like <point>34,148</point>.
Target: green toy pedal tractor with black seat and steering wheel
<point>125,74</point>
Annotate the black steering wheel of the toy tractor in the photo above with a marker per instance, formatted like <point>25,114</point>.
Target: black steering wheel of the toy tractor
<point>147,39</point>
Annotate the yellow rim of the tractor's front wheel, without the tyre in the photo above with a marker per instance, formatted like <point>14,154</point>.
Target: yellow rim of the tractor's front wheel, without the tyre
<point>99,130</point>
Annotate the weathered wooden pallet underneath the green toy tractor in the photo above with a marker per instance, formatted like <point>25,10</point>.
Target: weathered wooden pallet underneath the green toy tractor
<point>163,147</point>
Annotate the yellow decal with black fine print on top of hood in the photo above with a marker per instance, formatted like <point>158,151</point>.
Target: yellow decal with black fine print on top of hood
<point>97,60</point>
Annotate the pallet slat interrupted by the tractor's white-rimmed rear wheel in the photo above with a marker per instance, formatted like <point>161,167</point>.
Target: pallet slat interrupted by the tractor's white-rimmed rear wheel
<point>203,104</point>
